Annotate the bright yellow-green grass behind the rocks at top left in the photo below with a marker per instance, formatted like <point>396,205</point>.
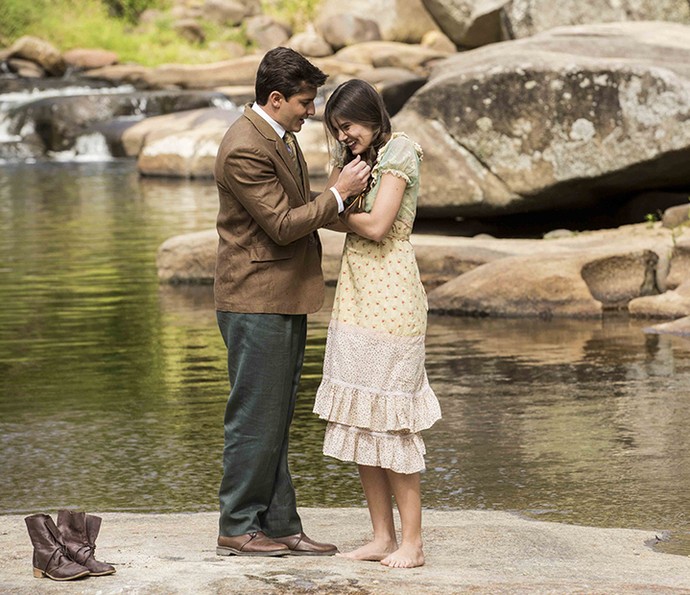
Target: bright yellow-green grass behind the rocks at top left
<point>70,24</point>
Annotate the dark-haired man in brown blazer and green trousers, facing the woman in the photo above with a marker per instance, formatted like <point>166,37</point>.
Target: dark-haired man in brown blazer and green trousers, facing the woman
<point>268,278</point>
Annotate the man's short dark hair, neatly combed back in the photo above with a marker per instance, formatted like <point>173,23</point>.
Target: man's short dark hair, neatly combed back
<point>286,71</point>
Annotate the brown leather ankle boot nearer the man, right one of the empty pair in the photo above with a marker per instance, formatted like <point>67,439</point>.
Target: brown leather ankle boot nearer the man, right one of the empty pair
<point>79,530</point>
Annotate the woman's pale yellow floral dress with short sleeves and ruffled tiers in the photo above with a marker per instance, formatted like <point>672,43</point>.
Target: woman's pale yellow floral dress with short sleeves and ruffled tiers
<point>375,393</point>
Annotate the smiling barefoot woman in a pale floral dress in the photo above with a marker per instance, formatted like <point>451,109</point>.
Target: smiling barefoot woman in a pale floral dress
<point>375,393</point>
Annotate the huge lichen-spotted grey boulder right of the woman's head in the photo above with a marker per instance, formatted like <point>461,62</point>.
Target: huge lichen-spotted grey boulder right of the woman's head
<point>564,120</point>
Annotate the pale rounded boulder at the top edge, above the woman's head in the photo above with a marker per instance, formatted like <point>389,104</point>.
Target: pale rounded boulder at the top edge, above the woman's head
<point>397,20</point>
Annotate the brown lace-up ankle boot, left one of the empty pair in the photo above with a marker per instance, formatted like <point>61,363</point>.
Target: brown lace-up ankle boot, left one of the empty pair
<point>50,557</point>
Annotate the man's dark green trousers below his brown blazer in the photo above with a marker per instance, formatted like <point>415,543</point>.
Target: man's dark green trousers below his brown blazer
<point>265,355</point>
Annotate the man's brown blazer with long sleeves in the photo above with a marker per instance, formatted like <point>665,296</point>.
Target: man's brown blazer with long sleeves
<point>269,254</point>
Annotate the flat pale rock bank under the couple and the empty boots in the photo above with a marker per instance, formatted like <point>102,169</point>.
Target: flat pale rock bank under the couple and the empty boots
<point>467,552</point>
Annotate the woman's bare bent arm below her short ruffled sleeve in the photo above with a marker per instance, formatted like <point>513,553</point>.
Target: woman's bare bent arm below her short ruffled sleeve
<point>376,224</point>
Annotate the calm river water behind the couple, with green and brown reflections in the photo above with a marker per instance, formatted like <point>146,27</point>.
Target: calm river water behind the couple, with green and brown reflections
<point>112,387</point>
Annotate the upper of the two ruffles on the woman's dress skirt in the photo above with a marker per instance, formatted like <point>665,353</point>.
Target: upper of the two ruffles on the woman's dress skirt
<point>379,411</point>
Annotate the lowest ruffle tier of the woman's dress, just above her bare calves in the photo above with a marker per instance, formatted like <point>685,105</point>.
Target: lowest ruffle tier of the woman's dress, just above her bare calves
<point>402,453</point>
